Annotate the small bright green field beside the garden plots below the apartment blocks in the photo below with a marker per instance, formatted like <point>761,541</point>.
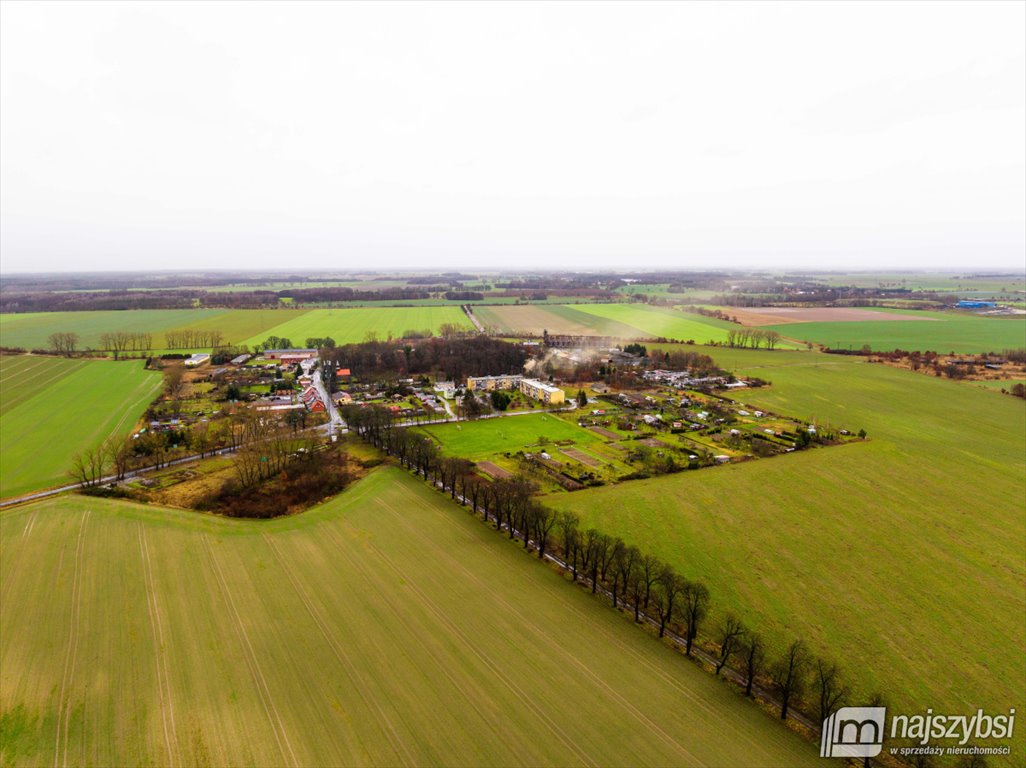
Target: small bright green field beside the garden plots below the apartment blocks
<point>480,439</point>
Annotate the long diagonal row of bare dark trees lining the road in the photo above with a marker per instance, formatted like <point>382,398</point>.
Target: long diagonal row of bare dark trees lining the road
<point>637,582</point>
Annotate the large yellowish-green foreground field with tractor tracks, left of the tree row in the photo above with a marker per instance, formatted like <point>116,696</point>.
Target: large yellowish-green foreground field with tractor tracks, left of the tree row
<point>387,627</point>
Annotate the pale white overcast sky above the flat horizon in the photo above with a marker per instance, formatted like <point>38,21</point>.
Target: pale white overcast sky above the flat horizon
<point>577,136</point>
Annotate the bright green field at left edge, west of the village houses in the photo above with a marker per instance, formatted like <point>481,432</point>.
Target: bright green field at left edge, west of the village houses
<point>54,409</point>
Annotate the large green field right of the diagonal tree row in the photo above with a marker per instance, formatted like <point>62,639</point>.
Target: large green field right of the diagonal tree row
<point>901,558</point>
